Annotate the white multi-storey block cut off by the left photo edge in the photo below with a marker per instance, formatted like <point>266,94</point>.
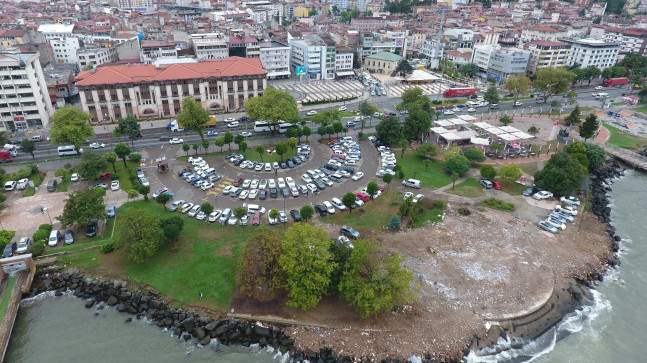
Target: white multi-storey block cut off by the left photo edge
<point>24,99</point>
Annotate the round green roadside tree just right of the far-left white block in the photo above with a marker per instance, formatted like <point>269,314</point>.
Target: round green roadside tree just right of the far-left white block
<point>69,126</point>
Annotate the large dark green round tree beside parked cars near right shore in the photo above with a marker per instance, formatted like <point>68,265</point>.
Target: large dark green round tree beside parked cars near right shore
<point>562,174</point>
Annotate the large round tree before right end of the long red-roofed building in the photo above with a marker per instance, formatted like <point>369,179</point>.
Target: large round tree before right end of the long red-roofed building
<point>274,106</point>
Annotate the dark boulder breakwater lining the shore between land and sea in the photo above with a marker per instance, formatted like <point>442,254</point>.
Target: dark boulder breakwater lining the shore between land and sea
<point>565,298</point>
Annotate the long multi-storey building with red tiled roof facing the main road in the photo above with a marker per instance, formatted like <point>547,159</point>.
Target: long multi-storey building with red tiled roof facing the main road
<point>111,92</point>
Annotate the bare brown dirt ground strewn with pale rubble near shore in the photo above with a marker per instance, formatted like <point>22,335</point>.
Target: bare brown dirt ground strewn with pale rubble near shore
<point>483,267</point>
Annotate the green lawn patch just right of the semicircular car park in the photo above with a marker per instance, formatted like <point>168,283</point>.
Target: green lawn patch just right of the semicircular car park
<point>413,166</point>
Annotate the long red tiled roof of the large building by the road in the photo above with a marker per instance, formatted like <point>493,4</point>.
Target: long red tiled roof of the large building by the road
<point>232,66</point>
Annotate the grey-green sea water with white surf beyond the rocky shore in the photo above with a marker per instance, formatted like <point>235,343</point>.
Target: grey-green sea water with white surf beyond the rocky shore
<point>611,328</point>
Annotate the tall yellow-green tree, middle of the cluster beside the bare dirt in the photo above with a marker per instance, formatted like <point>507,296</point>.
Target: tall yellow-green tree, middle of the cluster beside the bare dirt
<point>306,264</point>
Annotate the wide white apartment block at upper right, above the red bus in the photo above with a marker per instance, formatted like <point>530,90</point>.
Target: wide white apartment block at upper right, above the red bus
<point>592,52</point>
